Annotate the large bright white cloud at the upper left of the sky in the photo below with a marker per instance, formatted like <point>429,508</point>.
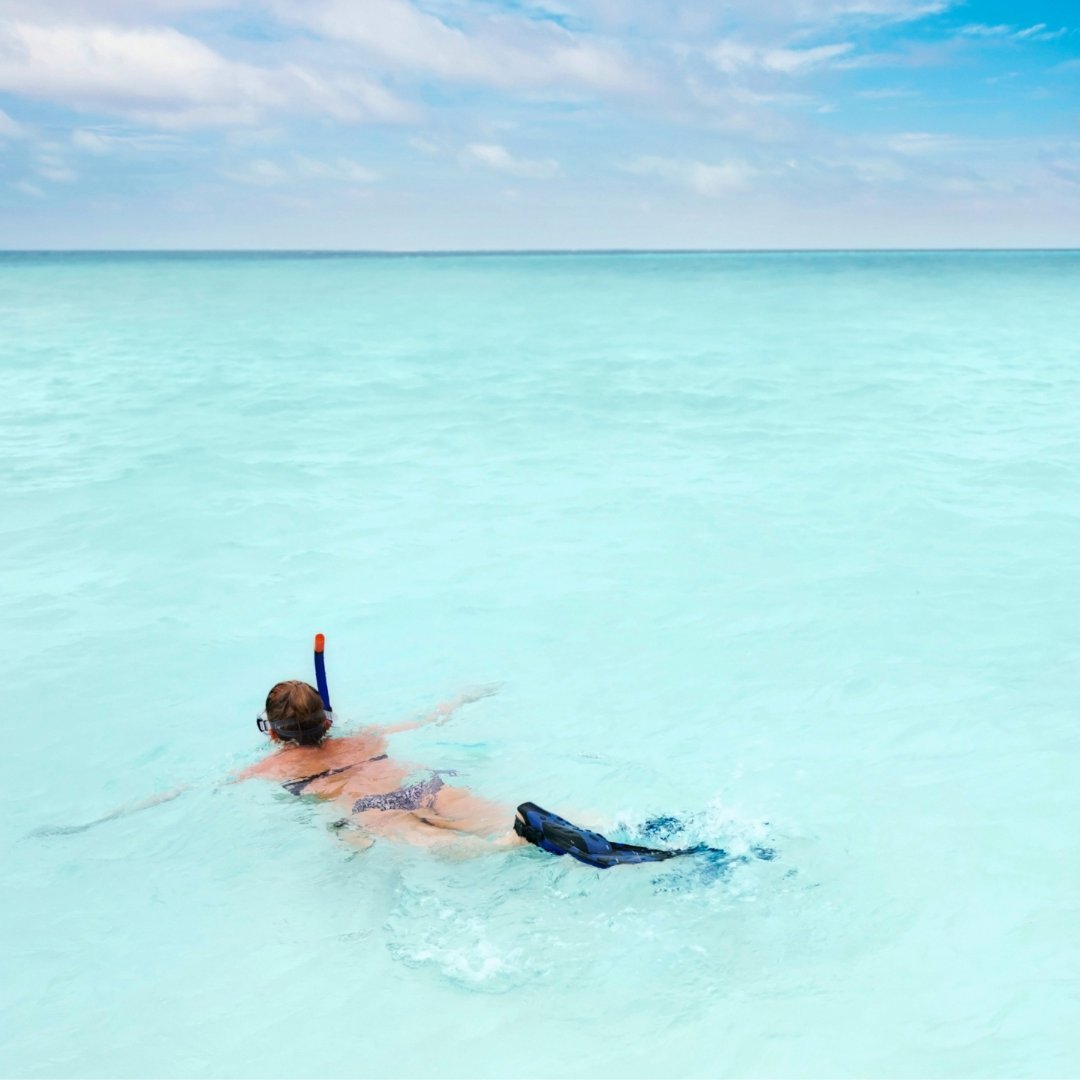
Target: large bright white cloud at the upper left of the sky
<point>166,78</point>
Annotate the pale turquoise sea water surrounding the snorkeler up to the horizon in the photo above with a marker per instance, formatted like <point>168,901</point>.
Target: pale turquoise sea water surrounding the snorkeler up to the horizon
<point>784,545</point>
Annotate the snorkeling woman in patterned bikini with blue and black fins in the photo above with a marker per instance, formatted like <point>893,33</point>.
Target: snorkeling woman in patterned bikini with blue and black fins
<point>388,799</point>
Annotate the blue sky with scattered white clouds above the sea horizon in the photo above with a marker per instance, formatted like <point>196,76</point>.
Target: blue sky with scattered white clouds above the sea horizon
<point>511,125</point>
